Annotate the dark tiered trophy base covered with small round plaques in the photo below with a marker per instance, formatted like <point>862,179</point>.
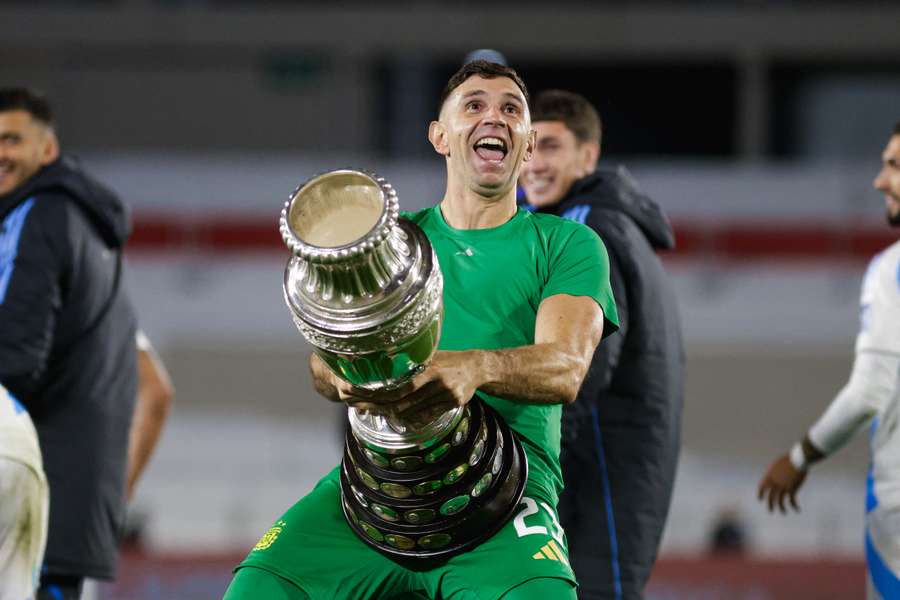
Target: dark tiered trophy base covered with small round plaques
<point>423,508</point>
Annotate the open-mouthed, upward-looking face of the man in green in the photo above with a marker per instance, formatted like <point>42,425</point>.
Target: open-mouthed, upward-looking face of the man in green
<point>485,132</point>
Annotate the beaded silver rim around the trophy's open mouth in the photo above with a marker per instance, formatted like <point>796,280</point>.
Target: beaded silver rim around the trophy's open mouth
<point>367,243</point>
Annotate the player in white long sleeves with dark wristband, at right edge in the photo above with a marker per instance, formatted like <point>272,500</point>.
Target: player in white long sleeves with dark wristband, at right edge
<point>871,398</point>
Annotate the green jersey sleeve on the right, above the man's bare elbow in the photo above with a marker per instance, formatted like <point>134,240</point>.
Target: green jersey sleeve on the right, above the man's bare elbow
<point>579,266</point>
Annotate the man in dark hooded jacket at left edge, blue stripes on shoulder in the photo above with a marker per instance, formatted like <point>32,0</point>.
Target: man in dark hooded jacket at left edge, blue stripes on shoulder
<point>67,337</point>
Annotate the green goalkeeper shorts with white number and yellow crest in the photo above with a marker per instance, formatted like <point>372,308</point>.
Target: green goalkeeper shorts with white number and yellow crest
<point>313,548</point>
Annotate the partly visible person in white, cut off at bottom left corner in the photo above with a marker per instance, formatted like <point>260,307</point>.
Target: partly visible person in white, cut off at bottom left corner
<point>23,502</point>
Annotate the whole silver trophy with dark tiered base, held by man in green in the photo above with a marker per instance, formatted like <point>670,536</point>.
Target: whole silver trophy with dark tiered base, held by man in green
<point>365,289</point>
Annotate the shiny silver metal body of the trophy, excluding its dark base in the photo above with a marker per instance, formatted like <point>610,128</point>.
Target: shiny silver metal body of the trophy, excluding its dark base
<point>365,289</point>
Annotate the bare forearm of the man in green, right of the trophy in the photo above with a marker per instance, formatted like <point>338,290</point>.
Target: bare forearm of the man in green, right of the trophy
<point>538,374</point>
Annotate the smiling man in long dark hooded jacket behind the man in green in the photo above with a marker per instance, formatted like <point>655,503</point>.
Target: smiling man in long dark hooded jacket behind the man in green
<point>621,437</point>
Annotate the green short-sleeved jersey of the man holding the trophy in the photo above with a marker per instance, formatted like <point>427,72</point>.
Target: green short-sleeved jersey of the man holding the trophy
<point>494,282</point>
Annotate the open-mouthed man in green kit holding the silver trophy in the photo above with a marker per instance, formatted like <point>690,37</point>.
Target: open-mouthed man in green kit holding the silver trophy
<point>526,301</point>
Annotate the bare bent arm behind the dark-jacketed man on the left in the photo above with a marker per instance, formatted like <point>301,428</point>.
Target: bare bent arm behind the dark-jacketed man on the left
<point>154,401</point>
